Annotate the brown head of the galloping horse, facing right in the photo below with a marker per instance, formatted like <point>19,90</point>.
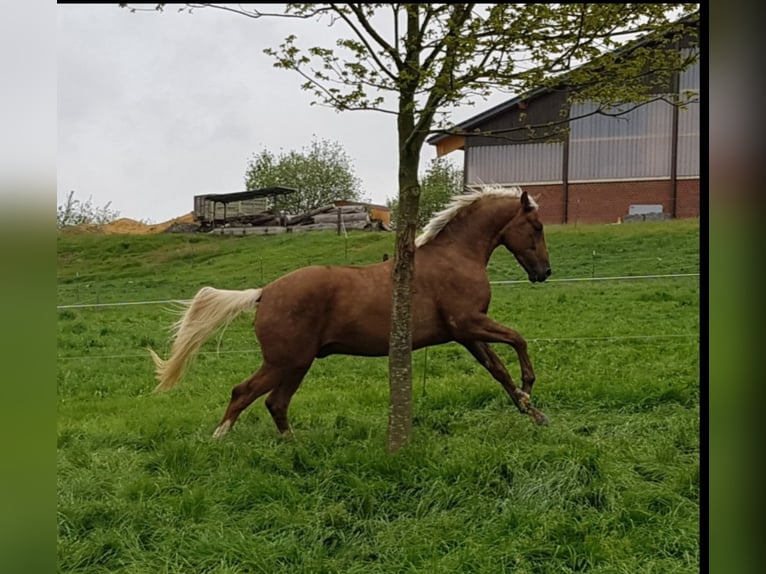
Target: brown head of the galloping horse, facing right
<point>523,236</point>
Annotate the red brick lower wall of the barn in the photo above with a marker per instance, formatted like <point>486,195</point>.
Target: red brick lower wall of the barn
<point>606,202</point>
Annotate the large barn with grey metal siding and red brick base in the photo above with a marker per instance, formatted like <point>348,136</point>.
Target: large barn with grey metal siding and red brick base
<point>602,168</point>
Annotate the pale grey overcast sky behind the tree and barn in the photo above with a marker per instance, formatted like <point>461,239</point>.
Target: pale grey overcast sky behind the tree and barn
<point>155,108</point>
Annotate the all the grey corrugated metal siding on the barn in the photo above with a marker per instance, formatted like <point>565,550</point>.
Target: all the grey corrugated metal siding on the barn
<point>636,145</point>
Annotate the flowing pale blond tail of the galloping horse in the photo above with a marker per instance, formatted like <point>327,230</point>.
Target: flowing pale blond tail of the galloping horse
<point>209,309</point>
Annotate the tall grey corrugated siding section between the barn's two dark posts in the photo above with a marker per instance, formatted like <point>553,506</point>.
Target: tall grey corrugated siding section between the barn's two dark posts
<point>634,145</point>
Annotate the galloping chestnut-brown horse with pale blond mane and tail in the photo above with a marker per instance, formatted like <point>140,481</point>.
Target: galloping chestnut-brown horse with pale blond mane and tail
<point>318,311</point>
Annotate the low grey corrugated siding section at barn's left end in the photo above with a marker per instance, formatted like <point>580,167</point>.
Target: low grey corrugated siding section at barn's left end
<point>519,163</point>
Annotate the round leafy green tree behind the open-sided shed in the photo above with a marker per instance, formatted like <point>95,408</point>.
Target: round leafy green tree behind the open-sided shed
<point>322,173</point>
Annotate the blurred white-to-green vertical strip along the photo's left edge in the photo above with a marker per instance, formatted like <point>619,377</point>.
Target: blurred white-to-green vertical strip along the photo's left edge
<point>28,288</point>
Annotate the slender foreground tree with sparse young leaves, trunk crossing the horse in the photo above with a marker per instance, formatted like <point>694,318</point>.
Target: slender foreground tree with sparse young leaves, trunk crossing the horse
<point>434,57</point>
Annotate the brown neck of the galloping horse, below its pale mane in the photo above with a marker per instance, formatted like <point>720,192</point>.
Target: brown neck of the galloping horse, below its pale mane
<point>476,232</point>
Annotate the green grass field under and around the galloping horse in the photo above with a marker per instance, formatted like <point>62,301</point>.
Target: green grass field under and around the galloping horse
<point>611,486</point>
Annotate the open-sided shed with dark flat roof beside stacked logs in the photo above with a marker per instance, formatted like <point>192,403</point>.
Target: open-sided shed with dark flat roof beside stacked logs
<point>238,208</point>
